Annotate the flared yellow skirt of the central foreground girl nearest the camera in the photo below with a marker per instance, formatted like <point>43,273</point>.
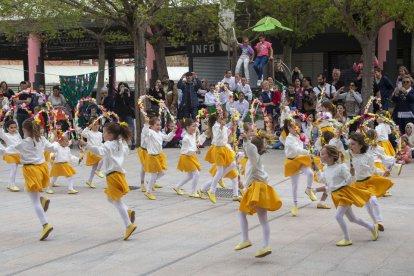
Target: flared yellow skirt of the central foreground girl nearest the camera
<point>260,195</point>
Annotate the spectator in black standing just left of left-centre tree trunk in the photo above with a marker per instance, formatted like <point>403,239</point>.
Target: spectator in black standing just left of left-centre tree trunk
<point>124,107</point>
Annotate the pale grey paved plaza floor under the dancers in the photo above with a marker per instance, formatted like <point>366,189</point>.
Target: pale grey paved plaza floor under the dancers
<point>178,235</point>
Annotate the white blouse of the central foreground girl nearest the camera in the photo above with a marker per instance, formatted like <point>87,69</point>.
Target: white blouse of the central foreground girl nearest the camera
<point>254,167</point>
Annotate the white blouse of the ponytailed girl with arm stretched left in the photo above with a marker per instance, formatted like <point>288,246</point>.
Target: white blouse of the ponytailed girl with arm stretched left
<point>113,154</point>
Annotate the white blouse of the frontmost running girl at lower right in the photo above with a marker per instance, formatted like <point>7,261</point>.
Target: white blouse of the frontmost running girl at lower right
<point>335,176</point>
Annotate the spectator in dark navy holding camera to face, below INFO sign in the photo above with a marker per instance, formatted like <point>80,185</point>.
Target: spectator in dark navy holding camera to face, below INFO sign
<point>189,84</point>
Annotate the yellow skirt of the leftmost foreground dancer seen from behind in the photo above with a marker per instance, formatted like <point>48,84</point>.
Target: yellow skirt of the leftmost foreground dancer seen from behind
<point>36,177</point>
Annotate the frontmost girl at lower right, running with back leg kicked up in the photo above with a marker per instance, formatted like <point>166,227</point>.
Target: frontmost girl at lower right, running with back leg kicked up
<point>338,178</point>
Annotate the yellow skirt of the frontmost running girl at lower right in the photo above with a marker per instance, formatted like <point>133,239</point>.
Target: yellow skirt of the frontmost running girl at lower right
<point>349,195</point>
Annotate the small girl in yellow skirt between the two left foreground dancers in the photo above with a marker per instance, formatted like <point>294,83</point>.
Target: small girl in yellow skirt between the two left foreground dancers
<point>61,166</point>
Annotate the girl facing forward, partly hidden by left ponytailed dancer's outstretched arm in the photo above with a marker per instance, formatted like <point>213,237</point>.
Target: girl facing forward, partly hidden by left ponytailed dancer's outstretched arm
<point>94,137</point>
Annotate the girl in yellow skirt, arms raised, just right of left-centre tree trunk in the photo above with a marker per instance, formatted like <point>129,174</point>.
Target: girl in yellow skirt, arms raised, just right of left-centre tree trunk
<point>155,163</point>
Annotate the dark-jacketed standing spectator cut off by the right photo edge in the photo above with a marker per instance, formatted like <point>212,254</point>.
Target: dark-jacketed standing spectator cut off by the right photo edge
<point>404,103</point>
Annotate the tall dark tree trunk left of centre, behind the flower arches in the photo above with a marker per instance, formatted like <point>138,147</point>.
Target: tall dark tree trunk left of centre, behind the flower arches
<point>140,83</point>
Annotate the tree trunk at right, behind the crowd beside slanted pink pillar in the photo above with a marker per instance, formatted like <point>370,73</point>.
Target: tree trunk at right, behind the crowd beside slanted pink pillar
<point>368,53</point>
